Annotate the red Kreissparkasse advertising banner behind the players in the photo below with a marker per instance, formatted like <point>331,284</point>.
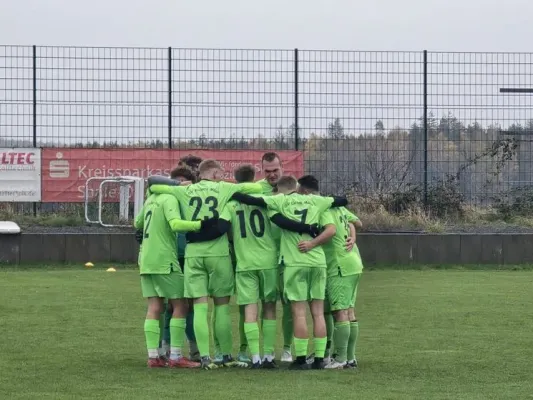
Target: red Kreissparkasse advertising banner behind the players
<point>65,171</point>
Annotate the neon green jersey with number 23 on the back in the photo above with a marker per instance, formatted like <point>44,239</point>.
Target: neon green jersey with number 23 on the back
<point>202,200</point>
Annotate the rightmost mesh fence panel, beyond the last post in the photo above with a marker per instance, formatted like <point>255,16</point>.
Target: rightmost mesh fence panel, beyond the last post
<point>478,133</point>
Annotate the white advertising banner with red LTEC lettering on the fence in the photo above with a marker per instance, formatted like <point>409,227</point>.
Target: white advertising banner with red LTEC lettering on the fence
<point>20,174</point>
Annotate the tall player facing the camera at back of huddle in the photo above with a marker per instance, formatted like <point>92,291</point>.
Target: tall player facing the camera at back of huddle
<point>273,170</point>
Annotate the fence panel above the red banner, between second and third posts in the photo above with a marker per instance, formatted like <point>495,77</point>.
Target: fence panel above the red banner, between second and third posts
<point>233,99</point>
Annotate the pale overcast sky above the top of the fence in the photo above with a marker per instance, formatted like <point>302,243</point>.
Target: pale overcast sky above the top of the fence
<point>452,25</point>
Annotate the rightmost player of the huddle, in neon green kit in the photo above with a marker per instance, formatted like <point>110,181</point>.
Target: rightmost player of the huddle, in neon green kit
<point>343,271</point>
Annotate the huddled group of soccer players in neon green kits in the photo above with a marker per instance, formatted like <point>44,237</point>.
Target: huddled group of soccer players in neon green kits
<point>267,240</point>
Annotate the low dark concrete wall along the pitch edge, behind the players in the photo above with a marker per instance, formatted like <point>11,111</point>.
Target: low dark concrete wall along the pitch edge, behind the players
<point>387,248</point>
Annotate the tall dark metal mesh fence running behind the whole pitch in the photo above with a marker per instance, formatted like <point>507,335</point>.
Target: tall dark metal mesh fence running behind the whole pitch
<point>375,123</point>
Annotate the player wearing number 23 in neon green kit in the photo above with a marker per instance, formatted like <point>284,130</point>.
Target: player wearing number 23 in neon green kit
<point>208,269</point>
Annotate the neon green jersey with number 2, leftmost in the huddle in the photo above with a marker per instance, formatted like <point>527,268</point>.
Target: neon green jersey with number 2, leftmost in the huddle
<point>158,255</point>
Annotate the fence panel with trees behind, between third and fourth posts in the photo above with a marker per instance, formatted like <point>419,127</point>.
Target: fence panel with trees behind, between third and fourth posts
<point>356,111</point>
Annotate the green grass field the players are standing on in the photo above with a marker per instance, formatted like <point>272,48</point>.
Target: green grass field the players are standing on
<point>425,334</point>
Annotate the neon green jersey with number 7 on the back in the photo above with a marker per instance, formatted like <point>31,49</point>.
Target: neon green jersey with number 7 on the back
<point>307,209</point>
